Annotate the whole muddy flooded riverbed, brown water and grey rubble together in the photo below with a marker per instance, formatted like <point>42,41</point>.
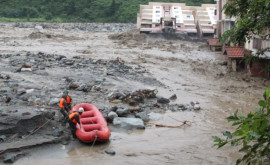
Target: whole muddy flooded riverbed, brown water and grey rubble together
<point>37,64</point>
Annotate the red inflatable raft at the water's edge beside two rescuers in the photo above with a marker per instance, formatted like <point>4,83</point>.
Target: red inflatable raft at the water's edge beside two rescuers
<point>93,125</point>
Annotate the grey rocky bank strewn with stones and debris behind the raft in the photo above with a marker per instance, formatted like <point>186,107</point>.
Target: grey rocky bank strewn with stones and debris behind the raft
<point>32,84</point>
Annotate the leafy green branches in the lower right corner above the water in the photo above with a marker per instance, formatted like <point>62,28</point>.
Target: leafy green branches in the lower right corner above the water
<point>252,132</point>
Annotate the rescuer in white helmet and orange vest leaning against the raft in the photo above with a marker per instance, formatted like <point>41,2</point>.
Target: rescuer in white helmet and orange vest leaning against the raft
<point>74,118</point>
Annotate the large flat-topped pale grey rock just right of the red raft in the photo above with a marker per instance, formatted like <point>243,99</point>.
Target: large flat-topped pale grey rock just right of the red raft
<point>128,123</point>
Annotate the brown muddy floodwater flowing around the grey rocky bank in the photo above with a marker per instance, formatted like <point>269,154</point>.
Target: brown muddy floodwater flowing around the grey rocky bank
<point>188,69</point>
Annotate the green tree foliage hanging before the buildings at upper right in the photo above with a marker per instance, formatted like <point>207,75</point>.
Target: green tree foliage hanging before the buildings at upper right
<point>252,20</point>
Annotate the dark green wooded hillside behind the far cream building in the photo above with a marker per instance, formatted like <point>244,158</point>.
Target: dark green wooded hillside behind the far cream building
<point>77,10</point>
